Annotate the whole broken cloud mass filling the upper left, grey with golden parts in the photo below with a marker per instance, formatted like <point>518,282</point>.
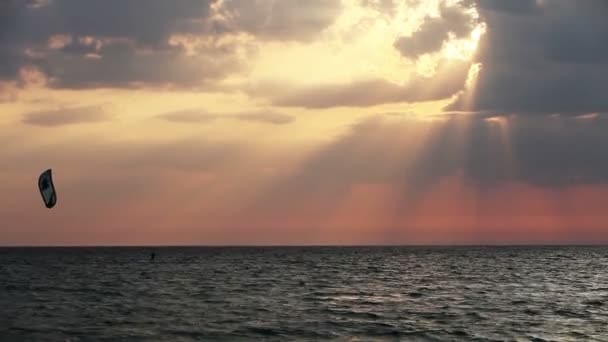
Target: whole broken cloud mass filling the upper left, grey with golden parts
<point>181,44</point>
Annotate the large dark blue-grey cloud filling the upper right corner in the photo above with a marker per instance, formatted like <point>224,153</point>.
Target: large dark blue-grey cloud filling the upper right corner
<point>547,58</point>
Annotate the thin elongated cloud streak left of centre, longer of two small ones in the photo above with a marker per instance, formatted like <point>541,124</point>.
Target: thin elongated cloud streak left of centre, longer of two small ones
<point>199,116</point>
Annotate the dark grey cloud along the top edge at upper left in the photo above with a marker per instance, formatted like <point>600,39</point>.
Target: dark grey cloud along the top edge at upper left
<point>114,18</point>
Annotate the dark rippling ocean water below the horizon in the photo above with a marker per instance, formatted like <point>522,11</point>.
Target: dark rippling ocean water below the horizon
<point>304,294</point>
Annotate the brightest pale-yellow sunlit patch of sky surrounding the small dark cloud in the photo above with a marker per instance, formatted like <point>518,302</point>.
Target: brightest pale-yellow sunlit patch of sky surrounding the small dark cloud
<point>360,45</point>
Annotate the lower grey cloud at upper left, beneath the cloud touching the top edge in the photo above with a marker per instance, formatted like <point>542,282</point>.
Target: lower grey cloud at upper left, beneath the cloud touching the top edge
<point>122,65</point>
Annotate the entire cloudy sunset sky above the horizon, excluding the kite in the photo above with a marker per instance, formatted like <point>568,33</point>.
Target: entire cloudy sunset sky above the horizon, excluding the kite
<point>271,122</point>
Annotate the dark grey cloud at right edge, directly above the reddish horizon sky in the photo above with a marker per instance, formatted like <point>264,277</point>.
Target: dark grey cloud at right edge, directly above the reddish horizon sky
<point>540,150</point>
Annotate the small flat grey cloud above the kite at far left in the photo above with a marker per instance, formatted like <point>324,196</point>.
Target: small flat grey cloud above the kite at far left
<point>66,116</point>
